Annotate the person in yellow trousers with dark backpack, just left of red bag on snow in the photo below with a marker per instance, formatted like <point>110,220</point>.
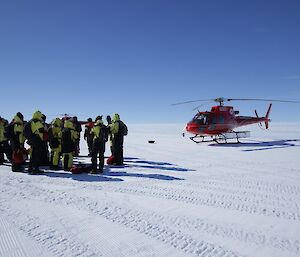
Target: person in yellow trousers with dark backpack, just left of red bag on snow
<point>68,140</point>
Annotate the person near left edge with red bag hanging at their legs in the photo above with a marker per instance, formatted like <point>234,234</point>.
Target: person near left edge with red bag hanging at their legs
<point>17,141</point>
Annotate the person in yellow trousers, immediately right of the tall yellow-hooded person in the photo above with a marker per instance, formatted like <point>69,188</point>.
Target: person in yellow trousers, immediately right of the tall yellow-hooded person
<point>55,133</point>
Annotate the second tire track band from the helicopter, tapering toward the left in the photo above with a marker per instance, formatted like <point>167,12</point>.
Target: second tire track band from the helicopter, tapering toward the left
<point>218,200</point>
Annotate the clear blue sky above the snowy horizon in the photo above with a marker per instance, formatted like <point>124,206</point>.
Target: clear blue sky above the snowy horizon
<point>138,57</point>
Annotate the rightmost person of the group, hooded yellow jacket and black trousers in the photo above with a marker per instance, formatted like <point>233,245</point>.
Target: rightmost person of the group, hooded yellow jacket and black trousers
<point>118,130</point>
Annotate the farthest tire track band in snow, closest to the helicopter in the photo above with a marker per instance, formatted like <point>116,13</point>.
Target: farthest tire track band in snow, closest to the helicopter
<point>246,199</point>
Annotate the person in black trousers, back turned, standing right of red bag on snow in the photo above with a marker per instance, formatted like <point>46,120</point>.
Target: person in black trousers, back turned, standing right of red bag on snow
<point>100,137</point>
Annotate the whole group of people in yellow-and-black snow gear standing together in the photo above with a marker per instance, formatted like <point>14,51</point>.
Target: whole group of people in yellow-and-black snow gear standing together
<point>63,138</point>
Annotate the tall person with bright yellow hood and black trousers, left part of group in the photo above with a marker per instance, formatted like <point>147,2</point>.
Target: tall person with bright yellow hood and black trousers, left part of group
<point>34,132</point>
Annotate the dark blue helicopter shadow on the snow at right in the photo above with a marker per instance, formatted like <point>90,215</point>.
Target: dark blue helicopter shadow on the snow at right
<point>262,145</point>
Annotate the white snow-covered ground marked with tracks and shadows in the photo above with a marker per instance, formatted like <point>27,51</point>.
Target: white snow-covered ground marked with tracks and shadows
<point>173,198</point>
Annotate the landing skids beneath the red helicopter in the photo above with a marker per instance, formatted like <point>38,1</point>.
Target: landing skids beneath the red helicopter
<point>222,138</point>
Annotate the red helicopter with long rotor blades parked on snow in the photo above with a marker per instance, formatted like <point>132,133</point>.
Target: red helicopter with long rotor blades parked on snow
<point>219,123</point>
